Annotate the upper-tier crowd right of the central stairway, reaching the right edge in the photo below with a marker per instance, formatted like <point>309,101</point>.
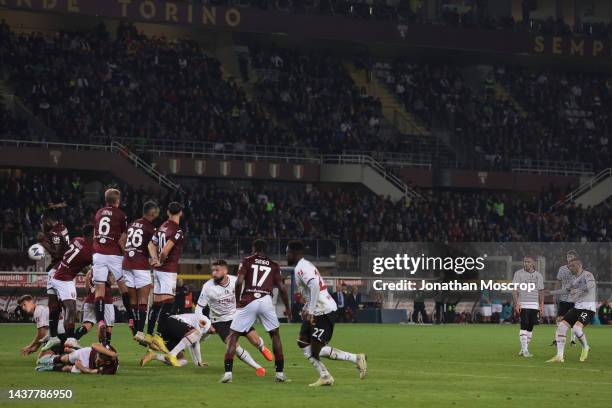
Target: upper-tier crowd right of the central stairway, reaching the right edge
<point>559,116</point>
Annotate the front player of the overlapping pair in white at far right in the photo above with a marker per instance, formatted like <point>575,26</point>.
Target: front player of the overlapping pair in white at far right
<point>583,291</point>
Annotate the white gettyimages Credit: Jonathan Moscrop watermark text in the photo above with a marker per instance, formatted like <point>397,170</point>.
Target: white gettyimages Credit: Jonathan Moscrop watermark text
<point>405,263</point>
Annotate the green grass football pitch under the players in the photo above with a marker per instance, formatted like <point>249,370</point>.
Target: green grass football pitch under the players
<point>409,366</point>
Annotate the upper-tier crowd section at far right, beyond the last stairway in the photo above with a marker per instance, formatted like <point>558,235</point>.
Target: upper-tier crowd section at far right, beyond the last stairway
<point>574,109</point>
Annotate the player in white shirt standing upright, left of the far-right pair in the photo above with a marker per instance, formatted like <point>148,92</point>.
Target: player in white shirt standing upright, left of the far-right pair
<point>528,303</point>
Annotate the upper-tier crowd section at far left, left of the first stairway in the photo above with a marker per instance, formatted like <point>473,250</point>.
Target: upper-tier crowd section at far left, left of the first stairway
<point>86,85</point>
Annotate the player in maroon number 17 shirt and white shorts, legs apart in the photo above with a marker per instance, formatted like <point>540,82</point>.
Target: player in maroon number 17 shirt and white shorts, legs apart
<point>257,276</point>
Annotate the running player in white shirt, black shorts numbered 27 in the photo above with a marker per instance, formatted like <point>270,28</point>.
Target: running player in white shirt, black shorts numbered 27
<point>318,318</point>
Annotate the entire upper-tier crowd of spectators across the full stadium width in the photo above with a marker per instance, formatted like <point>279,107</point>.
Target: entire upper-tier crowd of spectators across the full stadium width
<point>88,85</point>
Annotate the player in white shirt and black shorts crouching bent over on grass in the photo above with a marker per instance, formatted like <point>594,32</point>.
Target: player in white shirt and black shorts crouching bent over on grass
<point>184,331</point>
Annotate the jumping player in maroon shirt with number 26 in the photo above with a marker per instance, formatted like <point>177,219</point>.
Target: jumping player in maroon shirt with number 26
<point>137,267</point>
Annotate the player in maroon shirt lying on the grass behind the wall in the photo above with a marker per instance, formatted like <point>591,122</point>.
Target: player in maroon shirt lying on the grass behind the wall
<point>96,359</point>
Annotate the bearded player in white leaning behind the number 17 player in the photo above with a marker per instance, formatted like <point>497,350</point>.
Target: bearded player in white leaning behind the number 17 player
<point>219,294</point>
